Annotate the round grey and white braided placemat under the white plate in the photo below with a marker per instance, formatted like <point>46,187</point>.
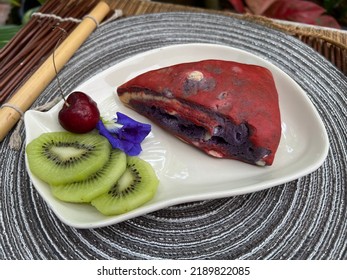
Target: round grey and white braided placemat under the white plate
<point>302,219</point>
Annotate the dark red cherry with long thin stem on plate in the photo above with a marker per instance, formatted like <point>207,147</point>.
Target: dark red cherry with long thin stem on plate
<point>79,114</point>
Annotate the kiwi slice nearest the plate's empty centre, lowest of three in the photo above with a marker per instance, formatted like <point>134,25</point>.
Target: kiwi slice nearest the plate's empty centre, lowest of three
<point>136,186</point>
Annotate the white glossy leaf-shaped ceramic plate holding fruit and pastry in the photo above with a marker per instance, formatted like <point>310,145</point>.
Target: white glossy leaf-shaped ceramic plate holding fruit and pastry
<point>185,173</point>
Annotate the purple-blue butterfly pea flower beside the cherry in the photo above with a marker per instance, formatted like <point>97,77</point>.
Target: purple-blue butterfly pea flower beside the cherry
<point>124,133</point>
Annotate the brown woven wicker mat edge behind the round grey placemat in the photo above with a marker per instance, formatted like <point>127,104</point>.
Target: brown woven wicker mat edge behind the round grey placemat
<point>332,44</point>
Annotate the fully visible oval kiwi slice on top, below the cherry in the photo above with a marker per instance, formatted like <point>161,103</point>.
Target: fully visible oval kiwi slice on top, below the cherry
<point>64,157</point>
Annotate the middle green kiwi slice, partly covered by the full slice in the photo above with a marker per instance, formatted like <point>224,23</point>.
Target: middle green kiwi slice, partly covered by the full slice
<point>95,185</point>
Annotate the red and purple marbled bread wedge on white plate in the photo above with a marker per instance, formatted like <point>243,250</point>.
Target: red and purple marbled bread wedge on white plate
<point>224,108</point>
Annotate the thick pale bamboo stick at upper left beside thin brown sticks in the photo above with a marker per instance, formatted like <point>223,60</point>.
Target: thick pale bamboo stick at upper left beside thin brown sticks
<point>31,90</point>
